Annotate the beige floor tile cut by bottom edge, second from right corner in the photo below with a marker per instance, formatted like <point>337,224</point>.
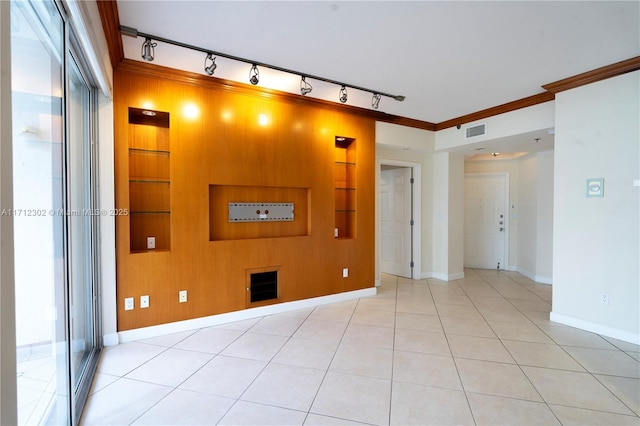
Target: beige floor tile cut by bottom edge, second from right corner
<point>494,411</point>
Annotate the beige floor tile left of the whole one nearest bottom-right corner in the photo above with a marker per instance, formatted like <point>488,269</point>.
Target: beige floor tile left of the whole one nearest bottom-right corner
<point>492,378</point>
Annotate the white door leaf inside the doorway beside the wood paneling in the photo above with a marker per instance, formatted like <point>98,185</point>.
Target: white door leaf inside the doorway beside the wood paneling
<point>395,222</point>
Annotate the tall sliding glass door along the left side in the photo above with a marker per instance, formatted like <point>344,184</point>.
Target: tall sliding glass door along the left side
<point>53,108</point>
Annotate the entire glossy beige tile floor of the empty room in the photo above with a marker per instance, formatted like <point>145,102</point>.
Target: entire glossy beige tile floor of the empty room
<point>480,350</point>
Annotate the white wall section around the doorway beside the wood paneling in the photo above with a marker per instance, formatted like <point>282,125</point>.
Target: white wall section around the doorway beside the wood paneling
<point>391,143</point>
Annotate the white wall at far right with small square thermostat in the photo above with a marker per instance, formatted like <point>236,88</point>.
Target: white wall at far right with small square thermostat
<point>596,240</point>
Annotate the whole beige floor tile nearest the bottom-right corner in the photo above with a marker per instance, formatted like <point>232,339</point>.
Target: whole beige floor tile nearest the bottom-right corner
<point>574,389</point>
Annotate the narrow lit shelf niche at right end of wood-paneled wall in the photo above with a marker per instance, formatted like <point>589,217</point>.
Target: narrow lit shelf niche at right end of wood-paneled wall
<point>345,187</point>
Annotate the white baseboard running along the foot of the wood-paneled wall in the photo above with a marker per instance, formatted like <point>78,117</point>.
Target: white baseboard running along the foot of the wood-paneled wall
<point>196,323</point>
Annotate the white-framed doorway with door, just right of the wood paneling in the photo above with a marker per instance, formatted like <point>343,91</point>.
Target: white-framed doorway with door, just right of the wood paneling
<point>399,219</point>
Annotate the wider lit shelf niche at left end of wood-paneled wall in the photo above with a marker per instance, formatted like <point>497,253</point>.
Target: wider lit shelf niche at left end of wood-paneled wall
<point>149,180</point>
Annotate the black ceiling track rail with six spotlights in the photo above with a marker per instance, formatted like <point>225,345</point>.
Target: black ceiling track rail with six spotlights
<point>148,55</point>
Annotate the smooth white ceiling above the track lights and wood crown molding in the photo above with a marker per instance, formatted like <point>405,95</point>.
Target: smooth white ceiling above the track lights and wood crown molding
<point>449,58</point>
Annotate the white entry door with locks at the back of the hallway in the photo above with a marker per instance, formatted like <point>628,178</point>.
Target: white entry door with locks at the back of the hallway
<point>485,221</point>
